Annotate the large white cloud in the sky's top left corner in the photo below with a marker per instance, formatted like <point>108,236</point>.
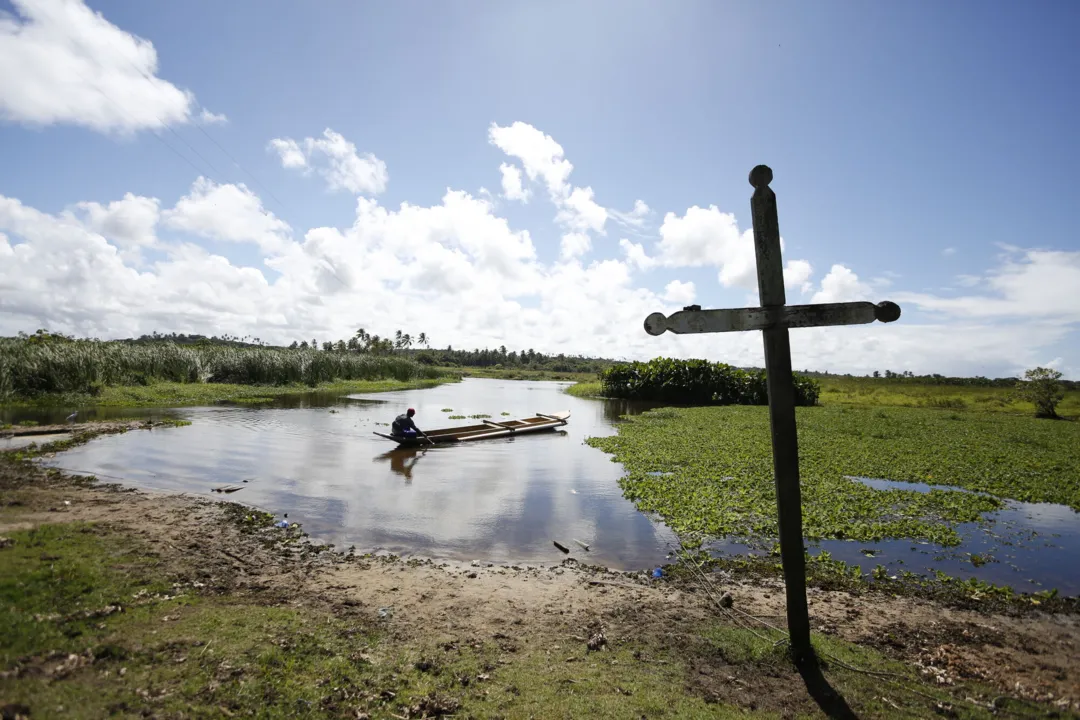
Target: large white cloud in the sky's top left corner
<point>66,64</point>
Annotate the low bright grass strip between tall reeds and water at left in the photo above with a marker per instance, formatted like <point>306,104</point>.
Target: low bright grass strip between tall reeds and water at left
<point>177,395</point>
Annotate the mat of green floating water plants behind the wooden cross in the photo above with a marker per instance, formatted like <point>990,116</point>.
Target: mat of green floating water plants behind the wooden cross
<point>710,470</point>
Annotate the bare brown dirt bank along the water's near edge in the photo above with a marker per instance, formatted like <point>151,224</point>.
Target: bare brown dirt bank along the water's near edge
<point>547,608</point>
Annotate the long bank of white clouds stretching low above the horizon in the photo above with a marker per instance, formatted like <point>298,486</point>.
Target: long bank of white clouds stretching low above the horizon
<point>467,277</point>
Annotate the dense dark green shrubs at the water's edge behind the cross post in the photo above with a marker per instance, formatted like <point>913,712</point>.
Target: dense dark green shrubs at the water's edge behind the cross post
<point>697,383</point>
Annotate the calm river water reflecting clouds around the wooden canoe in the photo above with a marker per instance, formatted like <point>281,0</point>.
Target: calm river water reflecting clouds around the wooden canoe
<point>501,501</point>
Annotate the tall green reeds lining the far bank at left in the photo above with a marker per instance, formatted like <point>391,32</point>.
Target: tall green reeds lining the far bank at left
<point>86,366</point>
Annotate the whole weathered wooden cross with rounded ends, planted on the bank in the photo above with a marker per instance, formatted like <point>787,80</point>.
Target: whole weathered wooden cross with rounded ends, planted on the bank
<point>774,319</point>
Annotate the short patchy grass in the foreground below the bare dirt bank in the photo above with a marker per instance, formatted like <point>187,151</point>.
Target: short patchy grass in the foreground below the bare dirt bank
<point>66,650</point>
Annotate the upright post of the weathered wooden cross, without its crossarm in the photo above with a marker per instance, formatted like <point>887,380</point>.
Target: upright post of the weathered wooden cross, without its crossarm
<point>786,455</point>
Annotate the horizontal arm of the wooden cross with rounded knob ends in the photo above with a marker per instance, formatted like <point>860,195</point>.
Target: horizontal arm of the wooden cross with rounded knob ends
<point>761,319</point>
